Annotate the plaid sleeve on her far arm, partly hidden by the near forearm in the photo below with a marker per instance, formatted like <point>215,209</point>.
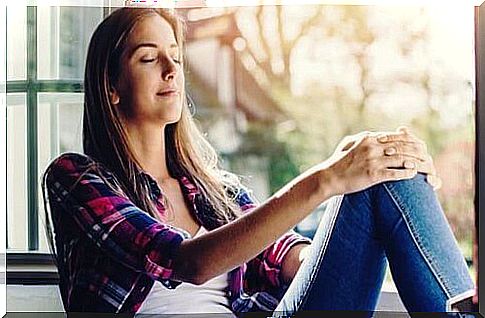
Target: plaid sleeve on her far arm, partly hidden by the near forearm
<point>264,271</point>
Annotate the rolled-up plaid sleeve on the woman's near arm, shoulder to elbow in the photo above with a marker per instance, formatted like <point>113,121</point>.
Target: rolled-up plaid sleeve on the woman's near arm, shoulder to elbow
<point>108,218</point>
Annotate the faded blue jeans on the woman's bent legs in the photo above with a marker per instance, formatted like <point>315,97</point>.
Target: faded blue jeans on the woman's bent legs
<point>400,223</point>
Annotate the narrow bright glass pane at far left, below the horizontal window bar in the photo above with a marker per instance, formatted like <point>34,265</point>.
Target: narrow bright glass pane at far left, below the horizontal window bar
<point>16,172</point>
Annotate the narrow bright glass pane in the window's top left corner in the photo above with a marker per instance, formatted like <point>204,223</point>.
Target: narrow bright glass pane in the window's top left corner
<point>16,42</point>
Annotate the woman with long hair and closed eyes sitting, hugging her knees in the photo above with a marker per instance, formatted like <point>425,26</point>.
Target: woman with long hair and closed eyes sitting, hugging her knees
<point>146,222</point>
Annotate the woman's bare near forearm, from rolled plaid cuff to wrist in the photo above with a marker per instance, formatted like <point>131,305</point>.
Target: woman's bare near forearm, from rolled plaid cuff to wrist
<point>229,246</point>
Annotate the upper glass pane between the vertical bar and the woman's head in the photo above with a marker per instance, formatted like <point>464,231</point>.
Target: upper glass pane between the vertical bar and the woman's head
<point>63,37</point>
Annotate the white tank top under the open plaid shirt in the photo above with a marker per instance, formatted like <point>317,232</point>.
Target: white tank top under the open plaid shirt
<point>189,298</point>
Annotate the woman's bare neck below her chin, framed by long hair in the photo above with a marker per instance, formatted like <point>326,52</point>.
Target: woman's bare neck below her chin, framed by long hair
<point>148,144</point>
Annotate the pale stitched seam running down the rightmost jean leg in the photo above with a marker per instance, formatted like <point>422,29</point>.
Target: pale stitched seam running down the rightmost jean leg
<point>416,239</point>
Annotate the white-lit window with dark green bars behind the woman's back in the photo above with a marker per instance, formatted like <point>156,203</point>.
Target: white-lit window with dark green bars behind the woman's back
<point>45,68</point>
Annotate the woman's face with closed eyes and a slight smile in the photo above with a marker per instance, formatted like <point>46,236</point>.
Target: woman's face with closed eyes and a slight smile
<point>150,87</point>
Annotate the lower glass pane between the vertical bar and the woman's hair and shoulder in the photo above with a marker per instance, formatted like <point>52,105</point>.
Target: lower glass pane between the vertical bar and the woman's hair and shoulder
<point>60,128</point>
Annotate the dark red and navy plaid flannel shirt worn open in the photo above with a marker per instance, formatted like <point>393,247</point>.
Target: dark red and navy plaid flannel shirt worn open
<point>110,252</point>
